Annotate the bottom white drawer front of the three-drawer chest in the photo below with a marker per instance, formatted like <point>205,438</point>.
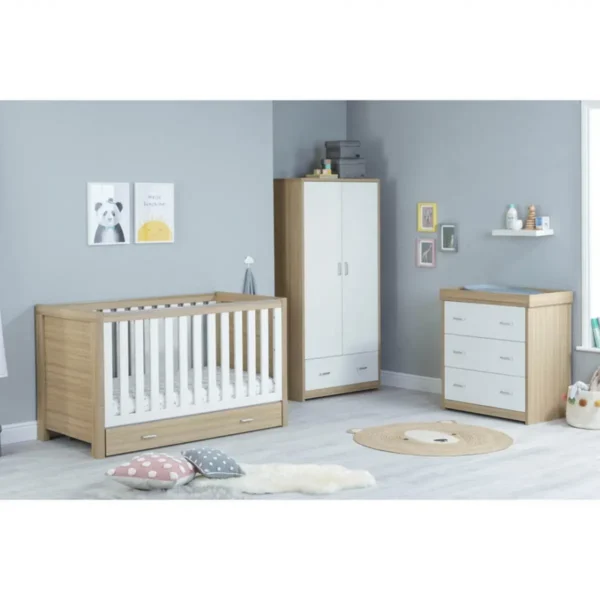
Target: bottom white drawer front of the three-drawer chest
<point>485,389</point>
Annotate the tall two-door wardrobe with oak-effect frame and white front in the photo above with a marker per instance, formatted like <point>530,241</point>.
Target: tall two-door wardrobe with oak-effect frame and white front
<point>327,266</point>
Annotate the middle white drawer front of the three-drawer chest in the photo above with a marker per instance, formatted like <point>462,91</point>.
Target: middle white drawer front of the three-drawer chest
<point>480,354</point>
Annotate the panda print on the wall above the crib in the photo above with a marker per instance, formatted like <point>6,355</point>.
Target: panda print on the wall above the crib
<point>109,214</point>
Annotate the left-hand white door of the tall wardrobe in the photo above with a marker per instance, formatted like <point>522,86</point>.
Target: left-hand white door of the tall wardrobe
<point>322,269</point>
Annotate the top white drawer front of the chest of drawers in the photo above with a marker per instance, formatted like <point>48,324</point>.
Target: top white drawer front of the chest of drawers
<point>485,320</point>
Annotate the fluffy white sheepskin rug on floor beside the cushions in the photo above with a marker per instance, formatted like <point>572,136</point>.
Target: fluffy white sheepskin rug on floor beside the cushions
<point>282,478</point>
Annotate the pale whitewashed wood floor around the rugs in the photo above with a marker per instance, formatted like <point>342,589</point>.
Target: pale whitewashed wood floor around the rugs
<point>549,460</point>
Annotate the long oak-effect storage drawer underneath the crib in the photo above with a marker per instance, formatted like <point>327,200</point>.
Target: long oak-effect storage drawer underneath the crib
<point>131,438</point>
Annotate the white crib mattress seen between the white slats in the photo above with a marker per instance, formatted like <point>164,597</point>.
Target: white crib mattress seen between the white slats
<point>188,394</point>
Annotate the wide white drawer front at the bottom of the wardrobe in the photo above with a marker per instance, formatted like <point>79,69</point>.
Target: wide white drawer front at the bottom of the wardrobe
<point>341,370</point>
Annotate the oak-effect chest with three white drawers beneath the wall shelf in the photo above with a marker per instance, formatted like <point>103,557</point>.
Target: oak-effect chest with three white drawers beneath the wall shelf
<point>506,355</point>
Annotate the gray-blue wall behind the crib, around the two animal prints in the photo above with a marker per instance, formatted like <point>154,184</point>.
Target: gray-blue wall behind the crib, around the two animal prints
<point>218,154</point>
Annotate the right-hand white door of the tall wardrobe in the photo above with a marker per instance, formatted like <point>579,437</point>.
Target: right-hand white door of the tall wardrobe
<point>360,235</point>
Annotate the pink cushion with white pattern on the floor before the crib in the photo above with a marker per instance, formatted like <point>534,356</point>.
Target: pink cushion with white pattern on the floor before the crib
<point>153,471</point>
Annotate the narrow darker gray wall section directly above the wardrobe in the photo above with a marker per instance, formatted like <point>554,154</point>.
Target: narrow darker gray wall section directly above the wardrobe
<point>300,129</point>
